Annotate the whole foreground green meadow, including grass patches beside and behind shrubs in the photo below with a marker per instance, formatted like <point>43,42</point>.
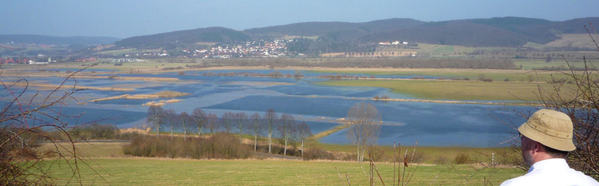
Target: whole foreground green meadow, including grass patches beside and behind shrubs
<point>103,163</point>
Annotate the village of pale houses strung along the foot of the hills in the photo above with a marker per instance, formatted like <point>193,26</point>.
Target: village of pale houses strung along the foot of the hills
<point>251,49</point>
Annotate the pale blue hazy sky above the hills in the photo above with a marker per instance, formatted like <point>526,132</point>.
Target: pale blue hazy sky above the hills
<point>126,18</point>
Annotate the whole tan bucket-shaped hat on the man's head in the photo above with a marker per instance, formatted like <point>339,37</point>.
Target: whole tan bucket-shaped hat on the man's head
<point>550,128</point>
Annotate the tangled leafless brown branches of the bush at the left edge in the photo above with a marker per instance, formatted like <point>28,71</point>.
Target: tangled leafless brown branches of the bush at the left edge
<point>25,118</point>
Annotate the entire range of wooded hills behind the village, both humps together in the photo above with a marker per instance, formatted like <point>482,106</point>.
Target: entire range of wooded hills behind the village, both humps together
<point>494,32</point>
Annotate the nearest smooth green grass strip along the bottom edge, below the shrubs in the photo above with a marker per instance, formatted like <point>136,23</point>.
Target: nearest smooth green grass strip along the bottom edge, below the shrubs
<point>265,172</point>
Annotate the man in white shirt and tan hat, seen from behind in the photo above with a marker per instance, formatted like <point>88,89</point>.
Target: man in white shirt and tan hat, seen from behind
<point>546,139</point>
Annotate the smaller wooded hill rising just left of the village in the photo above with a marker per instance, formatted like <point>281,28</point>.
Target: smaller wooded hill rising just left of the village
<point>183,38</point>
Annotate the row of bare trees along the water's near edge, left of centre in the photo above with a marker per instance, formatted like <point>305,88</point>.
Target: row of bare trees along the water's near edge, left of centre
<point>285,127</point>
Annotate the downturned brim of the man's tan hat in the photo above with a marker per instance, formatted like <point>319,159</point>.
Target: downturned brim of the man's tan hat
<point>562,144</point>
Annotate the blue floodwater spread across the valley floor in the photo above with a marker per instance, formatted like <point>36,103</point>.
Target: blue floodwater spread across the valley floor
<point>431,124</point>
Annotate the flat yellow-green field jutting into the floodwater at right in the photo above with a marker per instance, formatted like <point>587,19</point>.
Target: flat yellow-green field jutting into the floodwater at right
<point>452,90</point>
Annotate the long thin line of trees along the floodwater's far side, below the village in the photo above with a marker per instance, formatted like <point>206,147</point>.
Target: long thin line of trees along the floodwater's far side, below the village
<point>373,63</point>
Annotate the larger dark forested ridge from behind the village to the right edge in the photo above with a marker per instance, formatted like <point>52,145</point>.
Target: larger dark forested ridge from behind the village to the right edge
<point>506,31</point>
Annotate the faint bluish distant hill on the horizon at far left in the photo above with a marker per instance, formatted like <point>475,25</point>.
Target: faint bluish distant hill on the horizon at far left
<point>53,40</point>
